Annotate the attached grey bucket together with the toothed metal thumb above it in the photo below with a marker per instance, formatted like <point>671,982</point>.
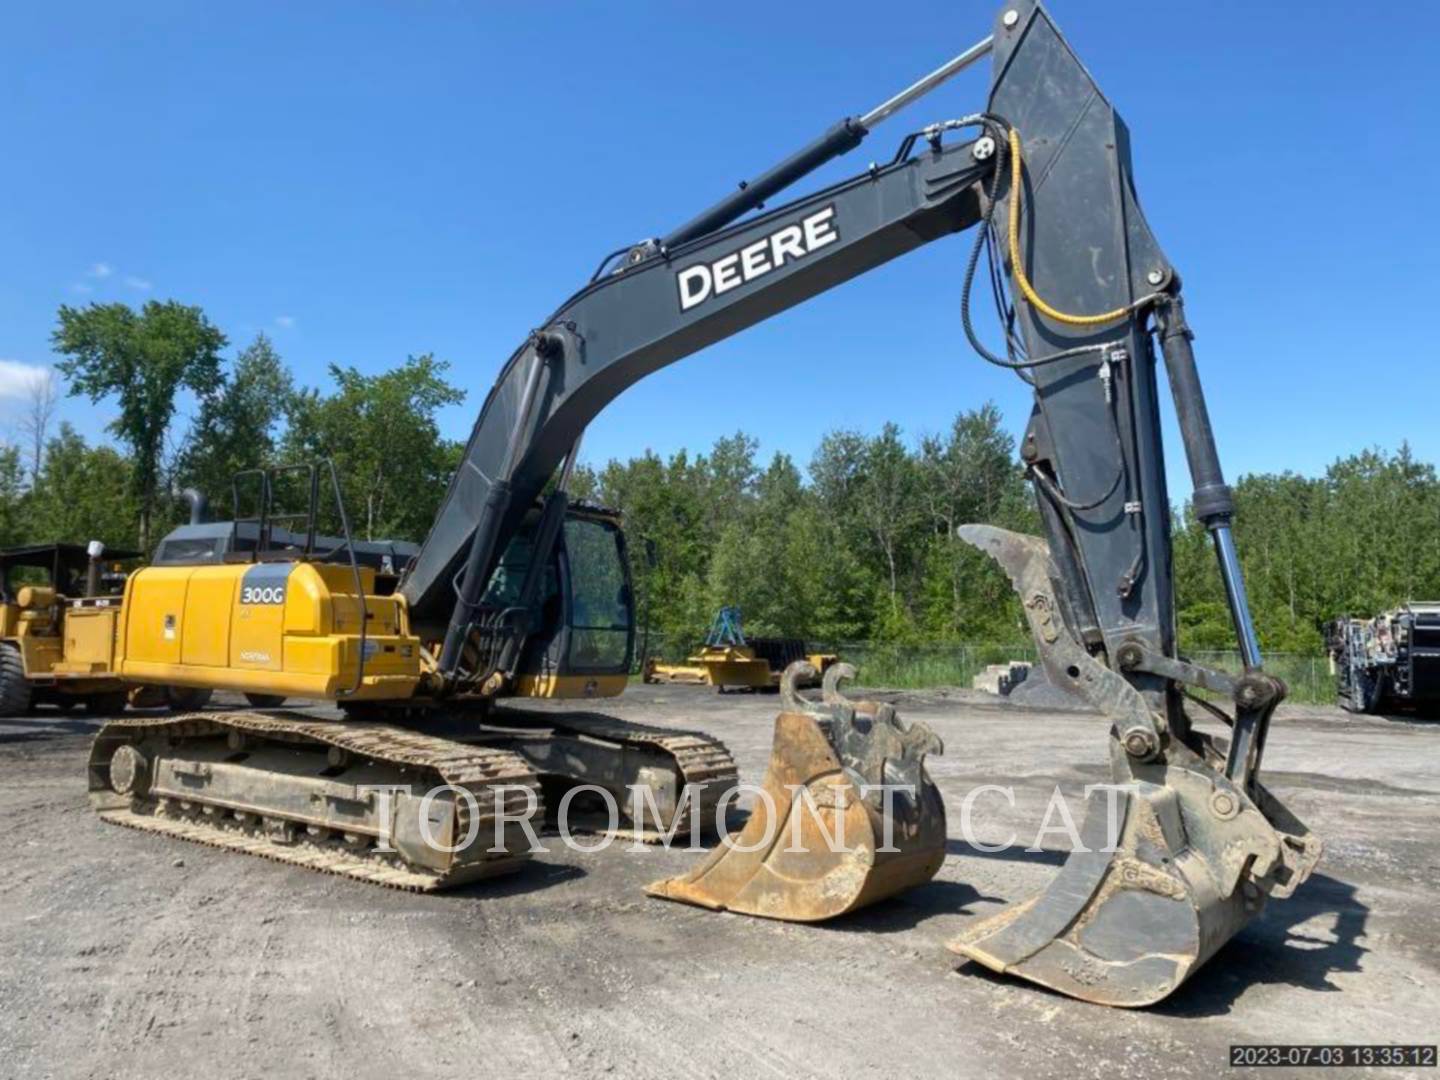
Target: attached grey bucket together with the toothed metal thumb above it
<point>1173,860</point>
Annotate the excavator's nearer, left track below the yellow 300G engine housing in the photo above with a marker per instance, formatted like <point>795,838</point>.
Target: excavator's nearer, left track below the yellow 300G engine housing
<point>279,819</point>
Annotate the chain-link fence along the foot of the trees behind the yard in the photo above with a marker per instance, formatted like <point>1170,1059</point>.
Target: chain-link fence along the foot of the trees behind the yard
<point>924,666</point>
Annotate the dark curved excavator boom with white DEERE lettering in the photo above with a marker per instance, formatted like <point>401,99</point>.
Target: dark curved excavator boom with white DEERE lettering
<point>662,307</point>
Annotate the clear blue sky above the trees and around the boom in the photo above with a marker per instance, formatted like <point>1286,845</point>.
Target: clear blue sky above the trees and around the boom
<point>369,181</point>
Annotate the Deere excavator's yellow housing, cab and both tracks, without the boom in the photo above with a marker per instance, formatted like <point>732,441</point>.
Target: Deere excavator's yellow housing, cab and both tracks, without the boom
<point>293,787</point>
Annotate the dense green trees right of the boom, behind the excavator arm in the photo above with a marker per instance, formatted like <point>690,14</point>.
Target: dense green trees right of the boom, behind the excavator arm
<point>868,551</point>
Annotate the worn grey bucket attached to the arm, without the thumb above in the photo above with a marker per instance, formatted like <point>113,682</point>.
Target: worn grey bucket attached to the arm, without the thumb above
<point>1160,883</point>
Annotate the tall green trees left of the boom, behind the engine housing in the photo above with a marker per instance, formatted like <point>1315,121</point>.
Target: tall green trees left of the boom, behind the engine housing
<point>246,413</point>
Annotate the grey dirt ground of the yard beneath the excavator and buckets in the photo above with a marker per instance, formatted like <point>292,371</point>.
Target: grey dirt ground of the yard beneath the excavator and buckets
<point>132,955</point>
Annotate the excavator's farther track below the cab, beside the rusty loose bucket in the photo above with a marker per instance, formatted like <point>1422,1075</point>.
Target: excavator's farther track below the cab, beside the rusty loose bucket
<point>699,760</point>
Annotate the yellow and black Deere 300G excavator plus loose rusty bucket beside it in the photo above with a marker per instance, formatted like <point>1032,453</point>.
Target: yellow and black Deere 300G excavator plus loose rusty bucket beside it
<point>519,594</point>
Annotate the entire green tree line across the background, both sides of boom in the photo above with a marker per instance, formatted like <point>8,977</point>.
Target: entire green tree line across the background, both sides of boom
<point>858,546</point>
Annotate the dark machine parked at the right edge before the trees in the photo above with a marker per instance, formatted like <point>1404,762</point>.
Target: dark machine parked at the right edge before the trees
<point>1390,662</point>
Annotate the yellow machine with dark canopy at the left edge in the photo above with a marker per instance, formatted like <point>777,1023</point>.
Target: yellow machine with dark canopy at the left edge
<point>58,614</point>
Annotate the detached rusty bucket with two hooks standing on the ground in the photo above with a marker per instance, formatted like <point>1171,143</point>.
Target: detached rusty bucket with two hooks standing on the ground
<point>846,814</point>
